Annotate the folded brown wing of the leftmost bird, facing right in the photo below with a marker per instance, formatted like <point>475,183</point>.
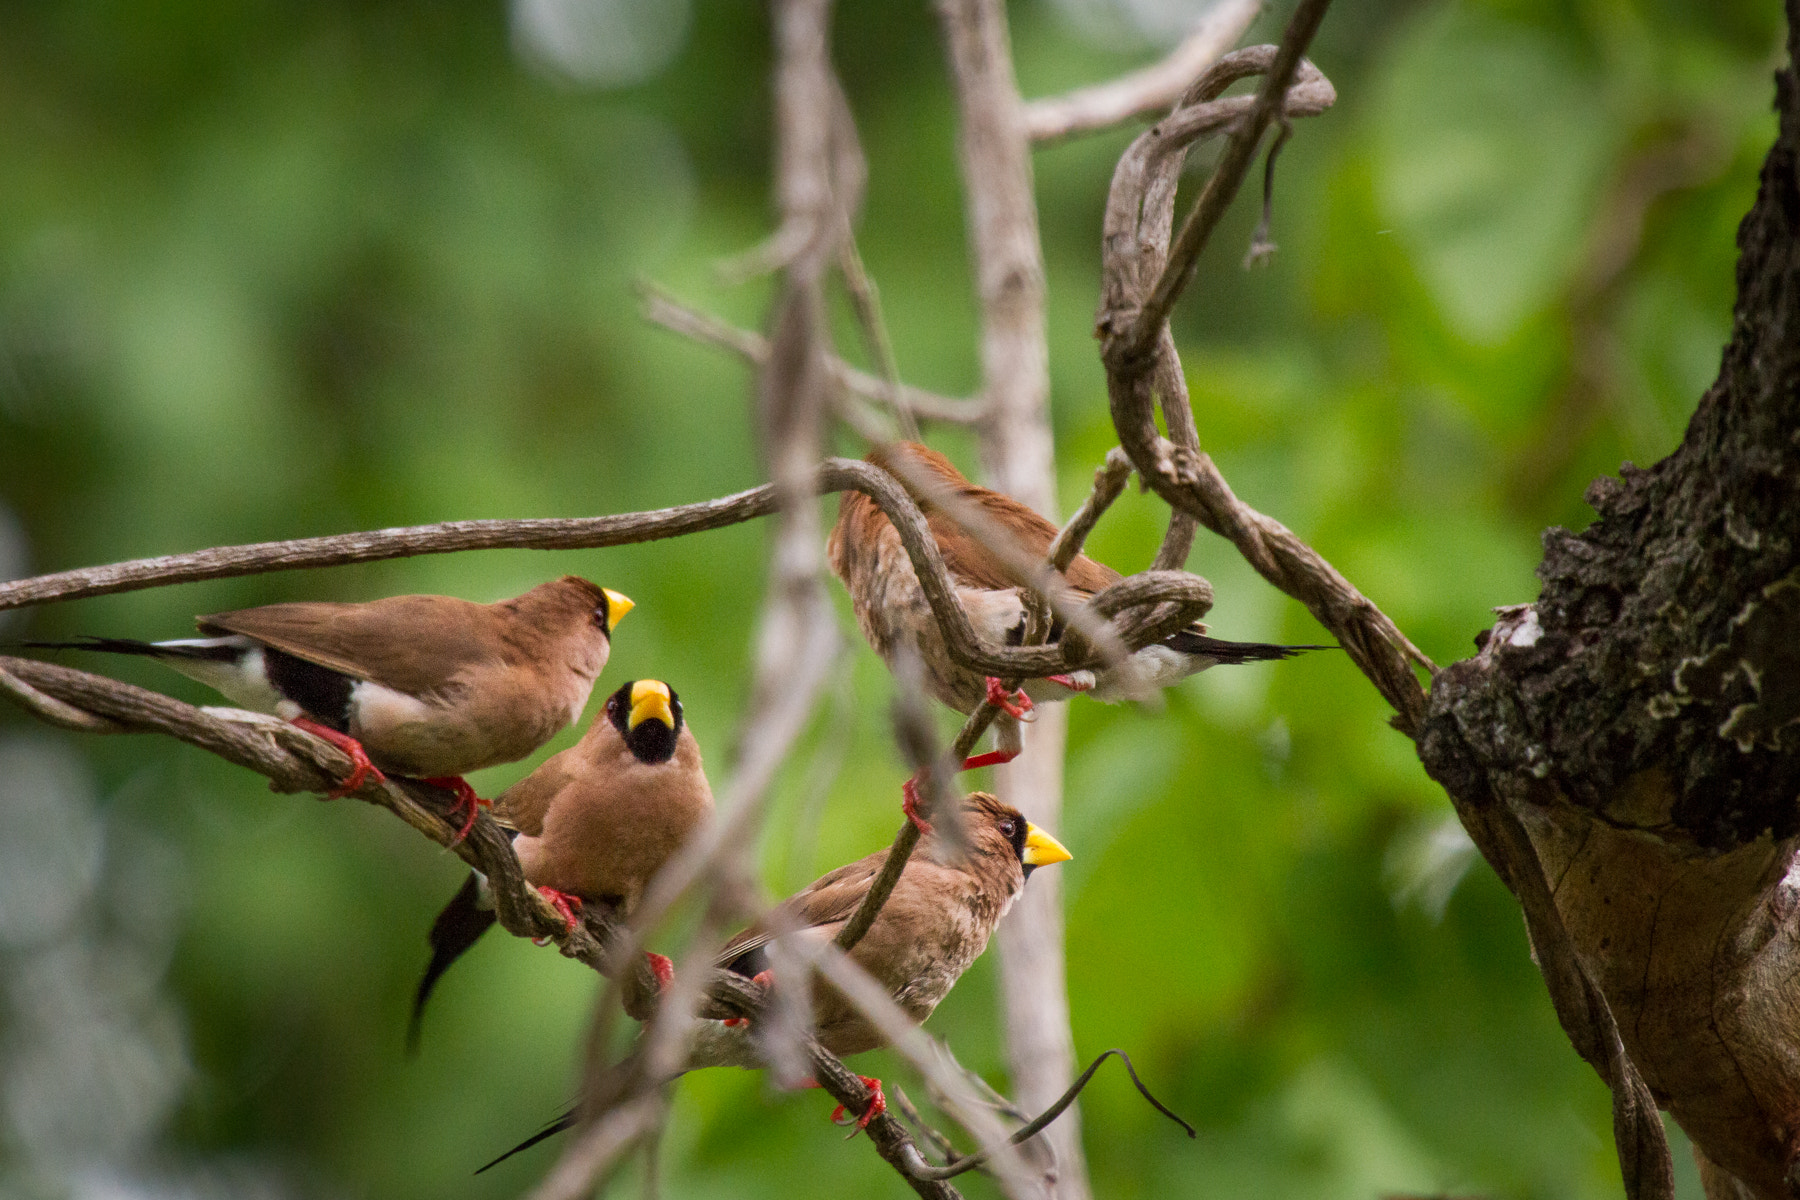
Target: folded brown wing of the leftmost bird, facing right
<point>408,643</point>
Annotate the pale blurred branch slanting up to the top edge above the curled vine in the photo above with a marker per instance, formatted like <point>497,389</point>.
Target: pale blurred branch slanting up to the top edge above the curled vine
<point>1146,91</point>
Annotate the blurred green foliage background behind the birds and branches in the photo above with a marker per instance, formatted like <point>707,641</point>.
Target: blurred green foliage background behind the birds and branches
<point>298,269</point>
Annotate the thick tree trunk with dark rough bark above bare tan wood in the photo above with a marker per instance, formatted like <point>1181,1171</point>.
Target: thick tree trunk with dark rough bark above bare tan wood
<point>1641,726</point>
